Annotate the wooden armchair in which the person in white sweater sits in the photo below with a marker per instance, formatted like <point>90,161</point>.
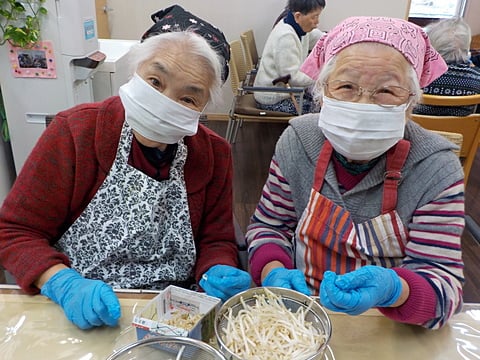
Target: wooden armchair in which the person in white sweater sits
<point>243,105</point>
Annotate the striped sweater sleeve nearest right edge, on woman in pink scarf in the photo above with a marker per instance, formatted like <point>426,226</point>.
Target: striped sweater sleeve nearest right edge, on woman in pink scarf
<point>434,252</point>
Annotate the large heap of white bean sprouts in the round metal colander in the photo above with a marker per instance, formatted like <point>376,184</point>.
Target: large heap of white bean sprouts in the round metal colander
<point>269,330</point>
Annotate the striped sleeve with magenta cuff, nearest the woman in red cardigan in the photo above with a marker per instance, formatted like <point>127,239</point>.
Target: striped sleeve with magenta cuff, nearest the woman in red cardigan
<point>273,222</point>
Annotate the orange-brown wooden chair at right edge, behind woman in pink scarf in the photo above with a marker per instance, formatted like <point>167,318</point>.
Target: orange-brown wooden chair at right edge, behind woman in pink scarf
<point>468,126</point>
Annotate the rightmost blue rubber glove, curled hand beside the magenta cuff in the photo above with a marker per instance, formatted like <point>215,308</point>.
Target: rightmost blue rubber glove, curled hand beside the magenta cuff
<point>360,290</point>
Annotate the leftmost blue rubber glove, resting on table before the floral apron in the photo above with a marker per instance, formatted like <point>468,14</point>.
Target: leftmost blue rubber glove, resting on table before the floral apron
<point>86,303</point>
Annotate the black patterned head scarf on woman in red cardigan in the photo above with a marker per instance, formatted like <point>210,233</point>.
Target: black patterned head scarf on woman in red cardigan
<point>175,18</point>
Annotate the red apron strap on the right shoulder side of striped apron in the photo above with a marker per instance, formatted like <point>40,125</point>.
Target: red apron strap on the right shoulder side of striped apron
<point>396,158</point>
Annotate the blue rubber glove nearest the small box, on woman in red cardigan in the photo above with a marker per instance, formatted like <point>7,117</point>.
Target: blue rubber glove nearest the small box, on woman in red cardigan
<point>224,281</point>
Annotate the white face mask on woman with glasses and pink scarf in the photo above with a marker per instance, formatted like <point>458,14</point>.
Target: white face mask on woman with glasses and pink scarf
<point>361,131</point>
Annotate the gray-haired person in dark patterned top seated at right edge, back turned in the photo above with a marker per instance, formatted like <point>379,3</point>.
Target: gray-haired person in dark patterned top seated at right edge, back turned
<point>451,38</point>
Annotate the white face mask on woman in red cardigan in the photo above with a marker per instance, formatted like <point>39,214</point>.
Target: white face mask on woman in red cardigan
<point>154,115</point>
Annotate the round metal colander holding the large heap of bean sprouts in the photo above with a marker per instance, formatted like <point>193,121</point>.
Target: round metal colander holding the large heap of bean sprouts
<point>293,300</point>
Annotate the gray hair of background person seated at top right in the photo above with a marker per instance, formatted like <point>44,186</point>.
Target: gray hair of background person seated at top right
<point>451,38</point>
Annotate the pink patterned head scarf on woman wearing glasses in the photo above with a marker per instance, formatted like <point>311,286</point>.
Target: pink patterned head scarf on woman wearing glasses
<point>404,36</point>
